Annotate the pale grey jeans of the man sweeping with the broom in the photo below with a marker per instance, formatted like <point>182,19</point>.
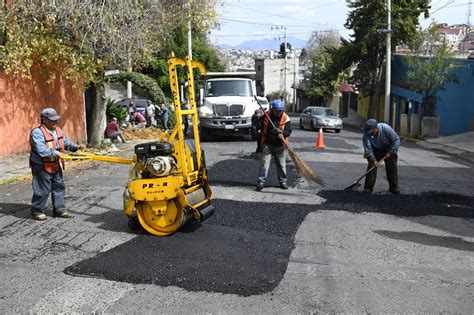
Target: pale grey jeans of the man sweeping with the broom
<point>279,153</point>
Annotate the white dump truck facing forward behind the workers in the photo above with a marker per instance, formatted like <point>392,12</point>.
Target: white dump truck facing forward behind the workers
<point>227,104</point>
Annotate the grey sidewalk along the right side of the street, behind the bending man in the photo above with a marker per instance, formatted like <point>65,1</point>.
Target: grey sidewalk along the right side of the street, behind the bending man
<point>460,145</point>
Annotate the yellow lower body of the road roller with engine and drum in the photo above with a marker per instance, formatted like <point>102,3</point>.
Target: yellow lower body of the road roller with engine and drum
<point>158,196</point>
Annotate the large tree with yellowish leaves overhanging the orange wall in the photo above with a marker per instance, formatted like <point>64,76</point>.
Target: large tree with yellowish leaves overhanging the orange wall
<point>80,39</point>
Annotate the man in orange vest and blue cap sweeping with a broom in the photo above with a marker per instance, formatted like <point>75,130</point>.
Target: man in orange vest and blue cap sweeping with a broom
<point>272,143</point>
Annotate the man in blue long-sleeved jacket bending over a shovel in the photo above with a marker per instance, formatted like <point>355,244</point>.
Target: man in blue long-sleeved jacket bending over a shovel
<point>380,141</point>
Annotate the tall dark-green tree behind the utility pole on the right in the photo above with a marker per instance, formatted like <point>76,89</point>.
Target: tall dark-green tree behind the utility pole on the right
<point>368,45</point>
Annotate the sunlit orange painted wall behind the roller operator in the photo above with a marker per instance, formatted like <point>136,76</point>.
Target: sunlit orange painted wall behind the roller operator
<point>21,101</point>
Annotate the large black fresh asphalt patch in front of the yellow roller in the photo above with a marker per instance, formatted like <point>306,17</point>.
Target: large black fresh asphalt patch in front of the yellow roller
<point>243,249</point>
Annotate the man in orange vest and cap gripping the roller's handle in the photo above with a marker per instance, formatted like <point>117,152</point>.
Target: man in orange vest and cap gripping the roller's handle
<point>48,143</point>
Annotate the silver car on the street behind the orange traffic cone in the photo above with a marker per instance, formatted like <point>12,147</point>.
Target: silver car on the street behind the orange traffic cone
<point>314,118</point>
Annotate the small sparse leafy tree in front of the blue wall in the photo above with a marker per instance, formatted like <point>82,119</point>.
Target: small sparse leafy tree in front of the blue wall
<point>430,67</point>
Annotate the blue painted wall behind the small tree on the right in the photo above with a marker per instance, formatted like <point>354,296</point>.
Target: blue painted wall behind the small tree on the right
<point>456,104</point>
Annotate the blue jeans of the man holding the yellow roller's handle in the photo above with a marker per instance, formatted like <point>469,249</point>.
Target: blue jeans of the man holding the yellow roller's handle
<point>43,184</point>
